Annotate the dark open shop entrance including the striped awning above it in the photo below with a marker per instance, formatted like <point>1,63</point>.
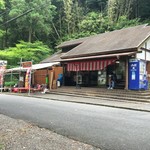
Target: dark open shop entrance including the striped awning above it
<point>94,73</point>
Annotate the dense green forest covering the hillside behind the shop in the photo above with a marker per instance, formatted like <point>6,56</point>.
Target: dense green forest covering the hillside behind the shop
<point>51,22</point>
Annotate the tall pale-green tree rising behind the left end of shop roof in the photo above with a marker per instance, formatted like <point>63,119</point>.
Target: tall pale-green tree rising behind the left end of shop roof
<point>70,13</point>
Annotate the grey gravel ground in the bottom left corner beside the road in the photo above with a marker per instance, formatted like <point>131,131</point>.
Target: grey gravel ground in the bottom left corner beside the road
<point>19,135</point>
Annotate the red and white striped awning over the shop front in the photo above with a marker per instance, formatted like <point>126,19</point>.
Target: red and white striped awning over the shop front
<point>90,65</point>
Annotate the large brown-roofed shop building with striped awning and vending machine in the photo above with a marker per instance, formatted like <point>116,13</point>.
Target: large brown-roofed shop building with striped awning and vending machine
<point>89,61</point>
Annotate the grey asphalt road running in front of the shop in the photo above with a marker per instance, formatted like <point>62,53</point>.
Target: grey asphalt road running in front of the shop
<point>103,127</point>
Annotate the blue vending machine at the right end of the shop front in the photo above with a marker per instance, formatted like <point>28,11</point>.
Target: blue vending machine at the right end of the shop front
<point>137,75</point>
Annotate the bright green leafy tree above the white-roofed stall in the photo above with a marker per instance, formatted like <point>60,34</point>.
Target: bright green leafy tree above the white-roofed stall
<point>26,51</point>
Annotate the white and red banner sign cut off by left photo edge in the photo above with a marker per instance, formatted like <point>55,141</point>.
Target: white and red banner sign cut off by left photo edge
<point>2,70</point>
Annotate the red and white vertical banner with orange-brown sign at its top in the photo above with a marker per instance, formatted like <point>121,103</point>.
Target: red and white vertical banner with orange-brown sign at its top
<point>27,65</point>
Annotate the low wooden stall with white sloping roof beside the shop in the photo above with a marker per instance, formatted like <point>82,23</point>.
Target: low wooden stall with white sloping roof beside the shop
<point>41,74</point>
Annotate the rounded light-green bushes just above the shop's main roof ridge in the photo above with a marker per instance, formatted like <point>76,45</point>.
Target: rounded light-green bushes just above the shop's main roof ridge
<point>99,23</point>
